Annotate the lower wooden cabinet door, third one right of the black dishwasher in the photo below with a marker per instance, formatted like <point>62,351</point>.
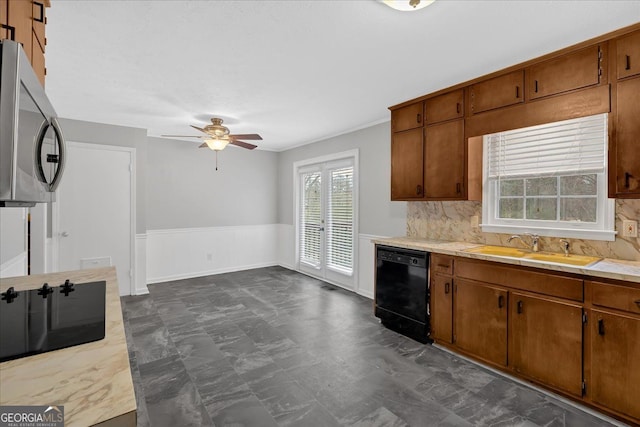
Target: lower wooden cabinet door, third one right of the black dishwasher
<point>545,341</point>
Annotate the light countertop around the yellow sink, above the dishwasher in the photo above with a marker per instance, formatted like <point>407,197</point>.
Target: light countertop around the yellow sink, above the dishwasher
<point>606,268</point>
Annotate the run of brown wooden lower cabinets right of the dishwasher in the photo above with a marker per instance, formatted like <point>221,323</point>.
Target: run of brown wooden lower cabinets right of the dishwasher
<point>573,334</point>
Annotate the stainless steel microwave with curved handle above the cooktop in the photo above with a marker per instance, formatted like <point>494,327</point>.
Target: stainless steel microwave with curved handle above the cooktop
<point>32,152</point>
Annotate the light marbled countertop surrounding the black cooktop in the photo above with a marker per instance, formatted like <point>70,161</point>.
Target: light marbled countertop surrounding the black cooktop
<point>92,381</point>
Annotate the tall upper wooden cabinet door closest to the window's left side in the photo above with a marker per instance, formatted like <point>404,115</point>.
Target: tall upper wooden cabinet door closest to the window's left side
<point>444,161</point>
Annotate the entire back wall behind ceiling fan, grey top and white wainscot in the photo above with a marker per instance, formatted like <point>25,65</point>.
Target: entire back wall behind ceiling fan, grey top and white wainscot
<point>201,221</point>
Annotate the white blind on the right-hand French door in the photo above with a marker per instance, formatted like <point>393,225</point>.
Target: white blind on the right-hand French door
<point>340,220</point>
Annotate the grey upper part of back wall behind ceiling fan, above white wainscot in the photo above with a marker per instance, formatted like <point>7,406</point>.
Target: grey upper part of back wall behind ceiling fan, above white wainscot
<point>184,190</point>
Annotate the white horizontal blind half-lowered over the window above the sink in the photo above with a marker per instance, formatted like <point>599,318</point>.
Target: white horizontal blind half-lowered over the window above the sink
<point>560,148</point>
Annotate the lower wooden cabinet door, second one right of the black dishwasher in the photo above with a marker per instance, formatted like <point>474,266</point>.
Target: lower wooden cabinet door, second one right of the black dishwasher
<point>480,320</point>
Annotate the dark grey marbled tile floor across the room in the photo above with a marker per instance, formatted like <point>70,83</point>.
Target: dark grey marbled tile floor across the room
<point>272,347</point>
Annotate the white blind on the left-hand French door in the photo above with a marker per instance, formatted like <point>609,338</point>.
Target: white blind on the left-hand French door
<point>311,218</point>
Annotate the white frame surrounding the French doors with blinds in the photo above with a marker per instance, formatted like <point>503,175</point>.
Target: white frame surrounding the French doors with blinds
<point>343,155</point>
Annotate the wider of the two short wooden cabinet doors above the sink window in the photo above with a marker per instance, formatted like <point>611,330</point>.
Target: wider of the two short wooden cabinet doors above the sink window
<point>568,72</point>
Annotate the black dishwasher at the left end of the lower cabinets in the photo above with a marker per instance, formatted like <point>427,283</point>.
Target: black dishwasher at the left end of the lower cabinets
<point>402,291</point>
